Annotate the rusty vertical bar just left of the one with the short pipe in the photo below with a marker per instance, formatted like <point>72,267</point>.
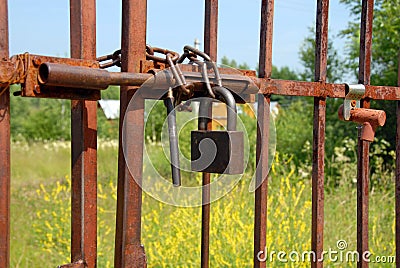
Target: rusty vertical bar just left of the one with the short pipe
<point>321,55</point>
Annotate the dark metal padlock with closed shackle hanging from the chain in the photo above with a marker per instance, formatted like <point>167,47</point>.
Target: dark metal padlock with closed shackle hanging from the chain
<point>218,151</point>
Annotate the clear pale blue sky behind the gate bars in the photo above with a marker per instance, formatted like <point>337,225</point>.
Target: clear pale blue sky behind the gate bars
<point>47,32</point>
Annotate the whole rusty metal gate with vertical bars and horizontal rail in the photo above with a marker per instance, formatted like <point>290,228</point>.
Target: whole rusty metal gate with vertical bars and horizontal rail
<point>129,252</point>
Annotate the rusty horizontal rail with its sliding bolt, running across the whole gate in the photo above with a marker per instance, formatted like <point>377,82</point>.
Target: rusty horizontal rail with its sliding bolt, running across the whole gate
<point>84,77</point>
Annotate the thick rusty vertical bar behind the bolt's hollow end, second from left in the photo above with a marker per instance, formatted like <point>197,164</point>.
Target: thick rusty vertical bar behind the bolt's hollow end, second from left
<point>84,141</point>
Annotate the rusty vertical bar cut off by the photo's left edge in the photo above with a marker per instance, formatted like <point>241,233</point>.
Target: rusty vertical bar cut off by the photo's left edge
<point>4,146</point>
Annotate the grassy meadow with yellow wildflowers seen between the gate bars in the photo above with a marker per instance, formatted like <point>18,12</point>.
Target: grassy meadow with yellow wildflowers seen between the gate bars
<point>171,235</point>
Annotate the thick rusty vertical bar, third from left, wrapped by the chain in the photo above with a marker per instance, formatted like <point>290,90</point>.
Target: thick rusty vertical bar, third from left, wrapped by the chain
<point>128,249</point>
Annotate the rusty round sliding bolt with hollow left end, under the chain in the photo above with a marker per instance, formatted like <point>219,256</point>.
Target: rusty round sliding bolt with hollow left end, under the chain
<point>64,75</point>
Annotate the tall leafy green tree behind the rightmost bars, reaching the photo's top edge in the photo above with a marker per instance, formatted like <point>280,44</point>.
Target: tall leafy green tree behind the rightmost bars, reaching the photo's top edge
<point>385,53</point>
